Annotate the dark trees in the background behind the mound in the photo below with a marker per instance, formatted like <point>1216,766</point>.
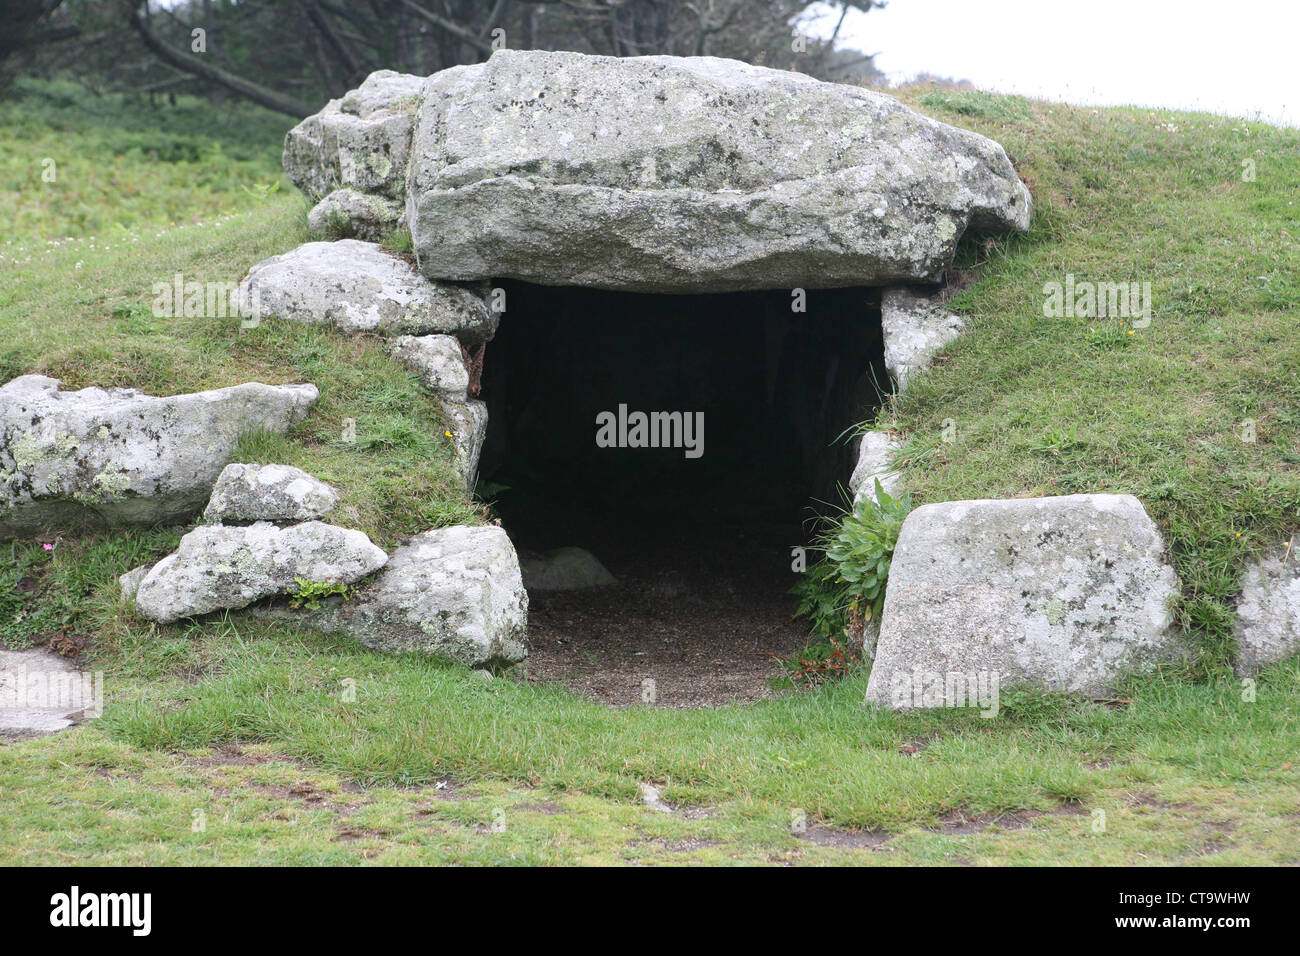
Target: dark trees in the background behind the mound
<point>289,55</point>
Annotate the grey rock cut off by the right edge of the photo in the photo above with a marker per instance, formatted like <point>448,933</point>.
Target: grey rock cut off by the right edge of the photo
<point>1268,612</point>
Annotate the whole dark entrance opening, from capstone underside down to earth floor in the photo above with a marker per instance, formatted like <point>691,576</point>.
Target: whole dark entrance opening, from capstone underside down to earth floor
<point>747,400</point>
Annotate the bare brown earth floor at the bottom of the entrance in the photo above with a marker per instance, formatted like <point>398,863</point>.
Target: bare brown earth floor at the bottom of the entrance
<point>701,624</point>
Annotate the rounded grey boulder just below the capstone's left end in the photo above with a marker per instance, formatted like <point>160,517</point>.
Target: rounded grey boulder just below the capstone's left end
<point>357,287</point>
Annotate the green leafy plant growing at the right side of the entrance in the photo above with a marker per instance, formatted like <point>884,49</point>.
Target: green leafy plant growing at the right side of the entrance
<point>846,590</point>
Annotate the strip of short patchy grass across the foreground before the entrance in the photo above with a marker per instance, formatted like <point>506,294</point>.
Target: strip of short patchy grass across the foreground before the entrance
<point>1189,773</point>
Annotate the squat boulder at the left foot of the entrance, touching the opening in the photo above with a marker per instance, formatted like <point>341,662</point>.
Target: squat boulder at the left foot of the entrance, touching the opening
<point>452,592</point>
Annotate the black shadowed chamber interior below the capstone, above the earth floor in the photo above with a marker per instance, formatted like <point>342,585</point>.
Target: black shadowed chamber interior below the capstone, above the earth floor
<point>755,400</point>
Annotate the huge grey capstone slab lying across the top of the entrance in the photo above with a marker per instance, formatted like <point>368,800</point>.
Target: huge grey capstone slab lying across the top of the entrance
<point>674,175</point>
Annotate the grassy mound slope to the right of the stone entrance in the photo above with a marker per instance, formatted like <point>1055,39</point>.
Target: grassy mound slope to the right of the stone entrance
<point>1061,406</point>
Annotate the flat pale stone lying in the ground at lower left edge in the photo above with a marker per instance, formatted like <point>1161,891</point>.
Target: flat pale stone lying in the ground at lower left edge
<point>42,694</point>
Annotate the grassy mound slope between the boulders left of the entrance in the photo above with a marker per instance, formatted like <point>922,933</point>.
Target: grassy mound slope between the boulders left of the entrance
<point>94,326</point>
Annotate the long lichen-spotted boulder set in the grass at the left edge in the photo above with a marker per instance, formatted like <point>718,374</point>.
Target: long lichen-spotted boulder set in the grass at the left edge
<point>122,457</point>
